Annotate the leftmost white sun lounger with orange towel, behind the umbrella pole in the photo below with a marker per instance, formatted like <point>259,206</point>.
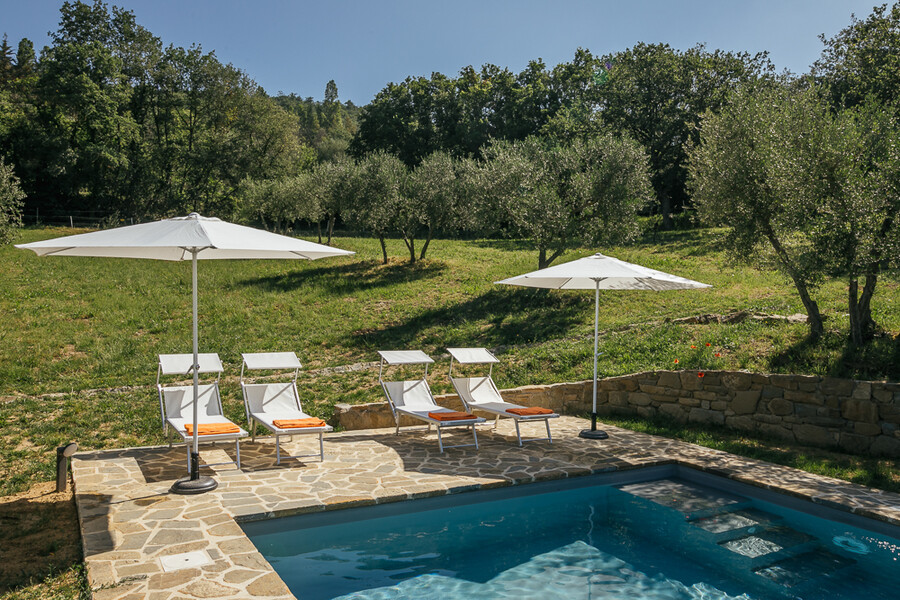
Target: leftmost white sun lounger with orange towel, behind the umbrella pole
<point>176,402</point>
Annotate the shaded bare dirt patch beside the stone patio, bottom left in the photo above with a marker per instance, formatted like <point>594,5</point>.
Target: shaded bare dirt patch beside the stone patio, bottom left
<point>39,529</point>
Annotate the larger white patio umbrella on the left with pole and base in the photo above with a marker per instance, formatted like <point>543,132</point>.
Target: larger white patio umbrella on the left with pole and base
<point>190,238</point>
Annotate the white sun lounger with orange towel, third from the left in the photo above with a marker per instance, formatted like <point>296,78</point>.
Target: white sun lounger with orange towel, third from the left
<point>414,398</point>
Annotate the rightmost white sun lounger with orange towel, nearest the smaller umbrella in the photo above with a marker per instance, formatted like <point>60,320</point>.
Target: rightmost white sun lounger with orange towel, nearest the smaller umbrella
<point>481,393</point>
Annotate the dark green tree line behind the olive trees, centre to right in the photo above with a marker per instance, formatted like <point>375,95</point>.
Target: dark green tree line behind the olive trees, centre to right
<point>651,92</point>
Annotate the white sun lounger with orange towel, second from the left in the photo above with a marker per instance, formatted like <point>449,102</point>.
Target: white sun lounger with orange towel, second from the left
<point>266,403</point>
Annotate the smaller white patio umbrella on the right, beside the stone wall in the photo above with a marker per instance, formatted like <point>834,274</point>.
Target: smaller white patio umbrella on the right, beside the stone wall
<point>599,272</point>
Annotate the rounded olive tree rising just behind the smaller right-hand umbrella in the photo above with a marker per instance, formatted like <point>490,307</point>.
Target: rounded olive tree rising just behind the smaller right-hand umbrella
<point>586,193</point>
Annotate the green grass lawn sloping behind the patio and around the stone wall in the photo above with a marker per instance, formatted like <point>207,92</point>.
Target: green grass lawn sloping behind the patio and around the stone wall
<point>79,337</point>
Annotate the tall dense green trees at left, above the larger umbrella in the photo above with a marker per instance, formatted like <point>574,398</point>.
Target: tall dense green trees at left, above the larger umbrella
<point>110,119</point>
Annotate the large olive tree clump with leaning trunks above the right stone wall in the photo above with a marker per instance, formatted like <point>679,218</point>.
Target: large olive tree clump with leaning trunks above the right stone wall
<point>810,191</point>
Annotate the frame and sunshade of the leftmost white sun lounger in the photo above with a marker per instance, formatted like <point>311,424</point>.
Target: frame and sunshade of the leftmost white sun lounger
<point>183,365</point>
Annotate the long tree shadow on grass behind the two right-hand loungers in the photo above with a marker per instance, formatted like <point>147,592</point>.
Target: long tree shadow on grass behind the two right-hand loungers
<point>511,316</point>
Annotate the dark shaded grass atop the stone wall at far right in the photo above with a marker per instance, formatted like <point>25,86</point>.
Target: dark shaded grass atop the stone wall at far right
<point>878,358</point>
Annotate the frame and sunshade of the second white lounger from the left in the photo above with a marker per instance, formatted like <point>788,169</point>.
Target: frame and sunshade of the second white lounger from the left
<point>278,361</point>
